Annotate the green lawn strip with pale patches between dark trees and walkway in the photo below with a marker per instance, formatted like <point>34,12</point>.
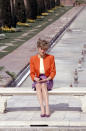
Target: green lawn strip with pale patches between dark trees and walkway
<point>16,39</point>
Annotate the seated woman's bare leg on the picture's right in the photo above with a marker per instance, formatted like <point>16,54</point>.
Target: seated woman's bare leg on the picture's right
<point>45,97</point>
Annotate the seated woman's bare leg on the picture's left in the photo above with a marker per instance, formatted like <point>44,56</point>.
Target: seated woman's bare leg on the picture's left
<point>40,97</point>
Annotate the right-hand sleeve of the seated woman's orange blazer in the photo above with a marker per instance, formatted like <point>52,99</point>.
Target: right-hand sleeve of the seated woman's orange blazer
<point>53,68</point>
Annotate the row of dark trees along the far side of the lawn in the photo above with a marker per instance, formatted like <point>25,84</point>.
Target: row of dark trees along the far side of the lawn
<point>12,11</point>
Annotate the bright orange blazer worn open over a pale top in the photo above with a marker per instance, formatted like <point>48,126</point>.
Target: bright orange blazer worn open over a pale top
<point>49,66</point>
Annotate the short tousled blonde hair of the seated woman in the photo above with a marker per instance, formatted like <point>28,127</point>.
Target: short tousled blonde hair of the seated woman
<point>42,44</point>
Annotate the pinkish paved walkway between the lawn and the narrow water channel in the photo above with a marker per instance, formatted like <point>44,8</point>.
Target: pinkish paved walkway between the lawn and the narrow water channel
<point>18,59</point>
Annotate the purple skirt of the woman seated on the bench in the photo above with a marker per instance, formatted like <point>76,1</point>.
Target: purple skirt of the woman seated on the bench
<point>49,83</point>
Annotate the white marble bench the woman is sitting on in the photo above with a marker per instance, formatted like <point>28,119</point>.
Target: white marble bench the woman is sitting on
<point>77,92</point>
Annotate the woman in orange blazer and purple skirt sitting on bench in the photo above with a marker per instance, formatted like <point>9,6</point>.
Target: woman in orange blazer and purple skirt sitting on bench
<point>42,72</point>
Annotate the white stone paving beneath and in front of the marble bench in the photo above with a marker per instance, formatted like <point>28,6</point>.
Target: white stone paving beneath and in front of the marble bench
<point>65,111</point>
